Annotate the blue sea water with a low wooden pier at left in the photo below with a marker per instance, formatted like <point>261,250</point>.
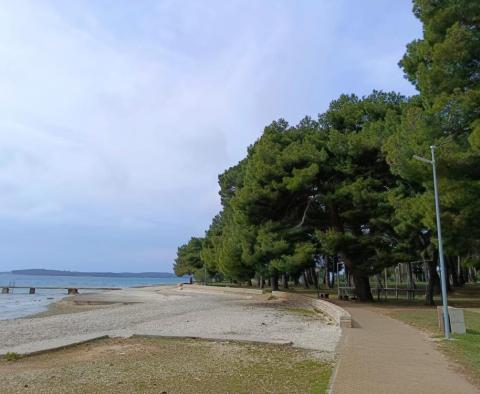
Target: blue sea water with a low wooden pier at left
<point>19,303</point>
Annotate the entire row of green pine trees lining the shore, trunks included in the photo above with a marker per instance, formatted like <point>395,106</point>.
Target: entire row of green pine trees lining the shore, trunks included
<point>345,186</point>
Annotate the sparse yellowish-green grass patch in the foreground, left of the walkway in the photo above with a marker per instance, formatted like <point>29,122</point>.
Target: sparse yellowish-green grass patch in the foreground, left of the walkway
<point>156,365</point>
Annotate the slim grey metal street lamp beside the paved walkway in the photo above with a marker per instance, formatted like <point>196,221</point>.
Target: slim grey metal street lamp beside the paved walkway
<point>443,276</point>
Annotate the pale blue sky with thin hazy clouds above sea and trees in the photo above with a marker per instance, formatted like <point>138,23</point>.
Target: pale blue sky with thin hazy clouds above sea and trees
<point>116,117</point>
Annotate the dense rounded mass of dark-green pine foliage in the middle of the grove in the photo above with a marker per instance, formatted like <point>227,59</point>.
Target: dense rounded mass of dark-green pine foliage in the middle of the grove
<point>298,185</point>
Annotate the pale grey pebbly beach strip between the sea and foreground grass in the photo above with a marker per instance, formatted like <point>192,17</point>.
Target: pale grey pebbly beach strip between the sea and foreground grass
<point>167,311</point>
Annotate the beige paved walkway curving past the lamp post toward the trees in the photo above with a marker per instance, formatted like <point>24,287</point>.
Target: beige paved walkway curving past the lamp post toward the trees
<point>383,355</point>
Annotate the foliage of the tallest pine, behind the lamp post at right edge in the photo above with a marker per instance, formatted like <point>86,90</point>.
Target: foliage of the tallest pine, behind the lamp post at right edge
<point>445,67</point>
